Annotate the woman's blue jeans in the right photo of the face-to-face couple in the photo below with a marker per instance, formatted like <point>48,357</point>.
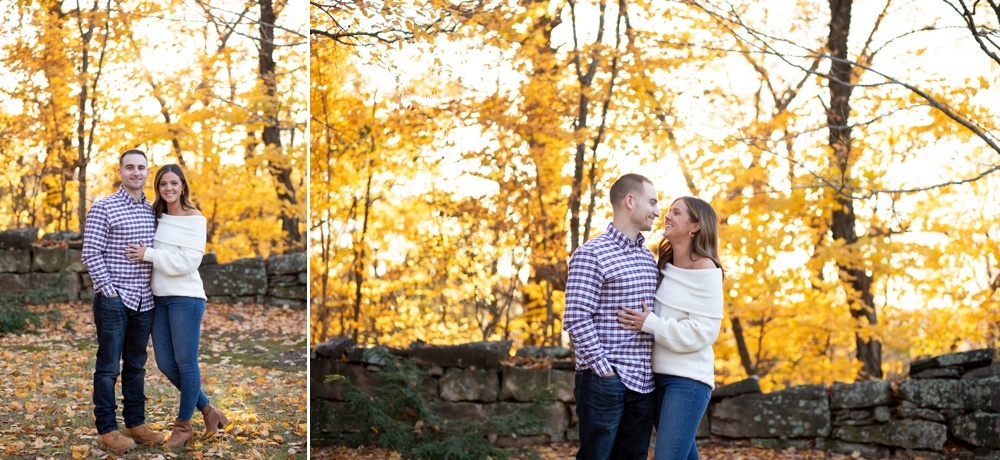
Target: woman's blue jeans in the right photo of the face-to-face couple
<point>680,403</point>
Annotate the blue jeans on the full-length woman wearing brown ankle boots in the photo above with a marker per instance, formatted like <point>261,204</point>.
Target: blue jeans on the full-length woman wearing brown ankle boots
<point>176,333</point>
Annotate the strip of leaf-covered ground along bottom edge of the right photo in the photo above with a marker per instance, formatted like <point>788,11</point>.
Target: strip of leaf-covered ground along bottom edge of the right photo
<point>567,451</point>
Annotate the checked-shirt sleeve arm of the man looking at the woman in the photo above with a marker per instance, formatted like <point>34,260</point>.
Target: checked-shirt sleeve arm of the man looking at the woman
<point>583,293</point>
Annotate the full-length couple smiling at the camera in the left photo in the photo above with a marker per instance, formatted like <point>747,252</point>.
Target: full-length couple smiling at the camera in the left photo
<point>143,258</point>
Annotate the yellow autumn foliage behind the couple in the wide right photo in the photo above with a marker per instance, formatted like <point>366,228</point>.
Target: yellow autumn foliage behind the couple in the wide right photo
<point>467,227</point>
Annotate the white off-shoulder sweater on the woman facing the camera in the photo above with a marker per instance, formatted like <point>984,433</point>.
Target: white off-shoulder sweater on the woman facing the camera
<point>178,247</point>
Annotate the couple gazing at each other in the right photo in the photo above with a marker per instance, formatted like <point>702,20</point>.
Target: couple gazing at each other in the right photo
<point>643,328</point>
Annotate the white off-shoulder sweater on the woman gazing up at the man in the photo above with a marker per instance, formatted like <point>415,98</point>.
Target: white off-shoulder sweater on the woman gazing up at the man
<point>687,319</point>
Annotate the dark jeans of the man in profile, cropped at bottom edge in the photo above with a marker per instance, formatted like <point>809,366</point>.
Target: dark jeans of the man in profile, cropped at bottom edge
<point>615,422</point>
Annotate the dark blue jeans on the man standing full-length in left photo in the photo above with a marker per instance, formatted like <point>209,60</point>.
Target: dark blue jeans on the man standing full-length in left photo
<point>122,338</point>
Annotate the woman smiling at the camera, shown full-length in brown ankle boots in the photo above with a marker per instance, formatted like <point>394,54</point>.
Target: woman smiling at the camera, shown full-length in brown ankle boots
<point>179,299</point>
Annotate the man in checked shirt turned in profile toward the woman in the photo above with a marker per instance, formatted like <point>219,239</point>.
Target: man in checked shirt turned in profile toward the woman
<point>614,378</point>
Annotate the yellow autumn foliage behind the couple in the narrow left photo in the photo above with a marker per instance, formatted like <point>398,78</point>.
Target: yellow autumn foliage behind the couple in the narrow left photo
<point>83,83</point>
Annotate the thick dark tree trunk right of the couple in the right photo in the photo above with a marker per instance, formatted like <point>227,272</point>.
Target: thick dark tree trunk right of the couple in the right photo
<point>869,352</point>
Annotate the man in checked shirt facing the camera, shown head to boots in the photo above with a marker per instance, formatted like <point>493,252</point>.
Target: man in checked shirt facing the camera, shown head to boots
<point>123,303</point>
